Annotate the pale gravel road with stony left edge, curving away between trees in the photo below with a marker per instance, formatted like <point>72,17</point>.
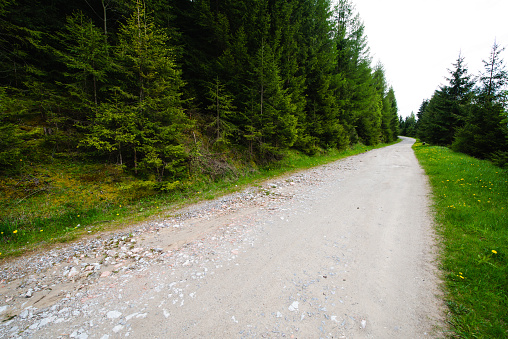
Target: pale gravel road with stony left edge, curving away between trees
<point>344,250</point>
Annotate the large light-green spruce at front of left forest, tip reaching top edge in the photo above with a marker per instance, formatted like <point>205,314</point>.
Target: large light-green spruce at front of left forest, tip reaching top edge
<point>143,122</point>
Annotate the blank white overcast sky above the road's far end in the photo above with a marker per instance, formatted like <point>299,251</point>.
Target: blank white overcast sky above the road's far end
<point>417,41</point>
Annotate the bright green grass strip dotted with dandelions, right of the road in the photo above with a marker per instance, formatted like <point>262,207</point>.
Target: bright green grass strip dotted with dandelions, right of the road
<point>471,205</point>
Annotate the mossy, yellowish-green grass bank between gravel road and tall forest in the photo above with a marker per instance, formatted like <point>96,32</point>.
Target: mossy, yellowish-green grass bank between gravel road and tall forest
<point>63,201</point>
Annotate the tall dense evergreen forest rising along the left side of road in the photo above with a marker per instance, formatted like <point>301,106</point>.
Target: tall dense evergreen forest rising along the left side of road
<point>149,84</point>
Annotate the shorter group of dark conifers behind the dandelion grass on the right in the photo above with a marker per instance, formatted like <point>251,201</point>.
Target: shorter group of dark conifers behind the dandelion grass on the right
<point>469,113</point>
